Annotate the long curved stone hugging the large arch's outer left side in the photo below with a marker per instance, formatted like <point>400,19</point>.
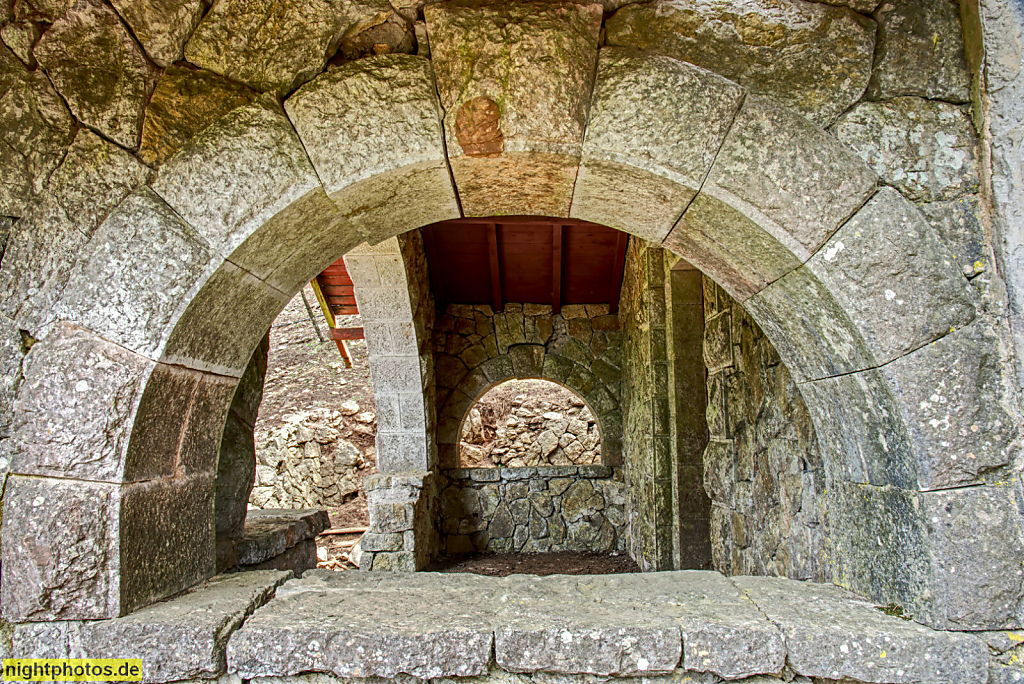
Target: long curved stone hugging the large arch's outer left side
<point>50,239</point>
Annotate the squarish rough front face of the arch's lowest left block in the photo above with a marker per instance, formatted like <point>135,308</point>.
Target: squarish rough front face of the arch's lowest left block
<point>61,559</point>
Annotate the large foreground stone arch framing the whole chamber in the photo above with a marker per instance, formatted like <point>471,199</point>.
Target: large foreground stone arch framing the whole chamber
<point>189,272</point>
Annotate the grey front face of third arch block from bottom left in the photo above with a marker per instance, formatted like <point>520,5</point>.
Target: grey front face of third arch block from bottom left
<point>136,275</point>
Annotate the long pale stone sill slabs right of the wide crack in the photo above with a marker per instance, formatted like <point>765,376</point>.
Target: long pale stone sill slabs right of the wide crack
<point>437,625</point>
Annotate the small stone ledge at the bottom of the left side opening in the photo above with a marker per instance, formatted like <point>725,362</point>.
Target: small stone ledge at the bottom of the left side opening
<point>271,533</point>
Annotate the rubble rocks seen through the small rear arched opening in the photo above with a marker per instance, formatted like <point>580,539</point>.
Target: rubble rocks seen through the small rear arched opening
<point>537,434</point>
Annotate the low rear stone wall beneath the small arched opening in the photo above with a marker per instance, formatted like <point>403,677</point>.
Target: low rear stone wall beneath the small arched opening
<point>533,510</point>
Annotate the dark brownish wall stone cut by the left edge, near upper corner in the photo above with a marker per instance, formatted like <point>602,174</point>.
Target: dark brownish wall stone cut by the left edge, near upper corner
<point>36,130</point>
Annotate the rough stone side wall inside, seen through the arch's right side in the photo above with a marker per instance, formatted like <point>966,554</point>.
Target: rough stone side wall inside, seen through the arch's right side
<point>763,468</point>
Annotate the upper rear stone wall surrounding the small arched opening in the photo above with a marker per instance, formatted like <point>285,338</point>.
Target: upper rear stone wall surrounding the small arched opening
<point>477,349</point>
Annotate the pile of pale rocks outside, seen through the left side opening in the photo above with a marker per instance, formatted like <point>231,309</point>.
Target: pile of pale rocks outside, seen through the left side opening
<point>307,463</point>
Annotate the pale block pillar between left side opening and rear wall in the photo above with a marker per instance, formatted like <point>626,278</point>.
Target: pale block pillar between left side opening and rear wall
<point>393,290</point>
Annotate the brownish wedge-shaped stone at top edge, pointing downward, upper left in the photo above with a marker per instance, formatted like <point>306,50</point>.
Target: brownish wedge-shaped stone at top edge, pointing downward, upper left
<point>162,26</point>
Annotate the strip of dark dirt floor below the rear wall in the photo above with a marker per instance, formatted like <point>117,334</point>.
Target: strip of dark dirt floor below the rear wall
<point>564,563</point>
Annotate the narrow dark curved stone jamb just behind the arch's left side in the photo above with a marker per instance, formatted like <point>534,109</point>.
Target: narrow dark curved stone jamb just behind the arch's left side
<point>237,460</point>
